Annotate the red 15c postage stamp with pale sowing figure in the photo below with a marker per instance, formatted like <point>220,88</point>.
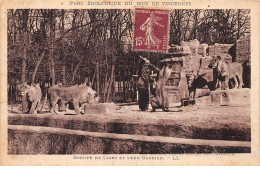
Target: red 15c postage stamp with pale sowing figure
<point>151,29</point>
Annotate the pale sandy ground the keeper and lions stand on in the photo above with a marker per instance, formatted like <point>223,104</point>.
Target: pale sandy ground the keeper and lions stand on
<point>202,117</point>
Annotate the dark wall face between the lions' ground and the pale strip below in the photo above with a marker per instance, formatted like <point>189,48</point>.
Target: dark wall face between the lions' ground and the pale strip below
<point>159,127</point>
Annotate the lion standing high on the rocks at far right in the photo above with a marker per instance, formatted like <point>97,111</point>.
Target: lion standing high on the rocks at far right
<point>223,71</point>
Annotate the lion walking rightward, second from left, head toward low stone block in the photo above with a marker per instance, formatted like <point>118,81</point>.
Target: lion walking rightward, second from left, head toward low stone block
<point>76,94</point>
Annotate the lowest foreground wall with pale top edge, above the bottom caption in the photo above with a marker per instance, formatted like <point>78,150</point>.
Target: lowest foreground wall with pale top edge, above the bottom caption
<point>49,140</point>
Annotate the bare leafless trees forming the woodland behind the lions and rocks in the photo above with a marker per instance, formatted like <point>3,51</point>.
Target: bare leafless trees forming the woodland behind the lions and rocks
<point>70,45</point>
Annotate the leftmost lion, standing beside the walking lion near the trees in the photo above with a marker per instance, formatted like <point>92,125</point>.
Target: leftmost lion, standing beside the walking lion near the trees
<point>34,94</point>
